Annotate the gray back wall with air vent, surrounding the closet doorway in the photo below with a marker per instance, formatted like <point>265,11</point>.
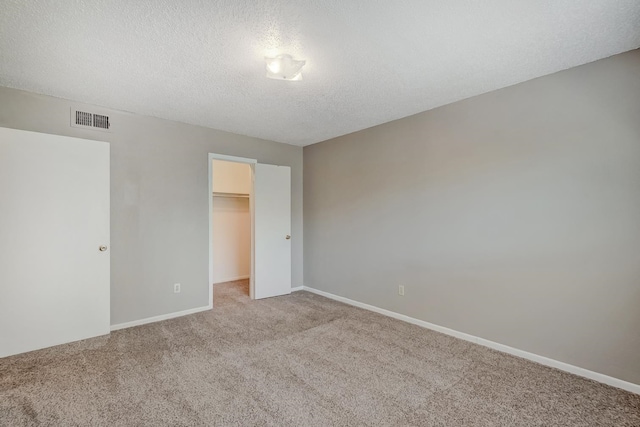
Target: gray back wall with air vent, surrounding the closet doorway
<point>159,199</point>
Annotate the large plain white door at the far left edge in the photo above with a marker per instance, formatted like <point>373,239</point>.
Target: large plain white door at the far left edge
<point>54,218</point>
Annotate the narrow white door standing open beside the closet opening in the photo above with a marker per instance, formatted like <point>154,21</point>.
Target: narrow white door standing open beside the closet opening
<point>272,195</point>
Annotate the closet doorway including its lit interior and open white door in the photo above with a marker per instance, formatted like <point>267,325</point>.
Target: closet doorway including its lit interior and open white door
<point>249,226</point>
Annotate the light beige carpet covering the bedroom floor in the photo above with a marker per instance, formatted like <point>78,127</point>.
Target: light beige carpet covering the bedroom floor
<point>298,360</point>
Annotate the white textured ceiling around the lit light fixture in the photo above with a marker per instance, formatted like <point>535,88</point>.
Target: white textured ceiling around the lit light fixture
<point>368,62</point>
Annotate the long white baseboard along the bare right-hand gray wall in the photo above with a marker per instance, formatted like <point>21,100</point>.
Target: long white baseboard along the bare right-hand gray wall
<point>615,382</point>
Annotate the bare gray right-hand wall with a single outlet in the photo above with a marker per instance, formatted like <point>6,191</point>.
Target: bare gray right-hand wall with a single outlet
<point>513,216</point>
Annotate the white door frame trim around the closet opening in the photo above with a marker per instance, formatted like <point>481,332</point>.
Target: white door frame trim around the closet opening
<point>251,163</point>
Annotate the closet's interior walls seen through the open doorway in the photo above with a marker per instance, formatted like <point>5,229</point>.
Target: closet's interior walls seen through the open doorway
<point>231,222</point>
